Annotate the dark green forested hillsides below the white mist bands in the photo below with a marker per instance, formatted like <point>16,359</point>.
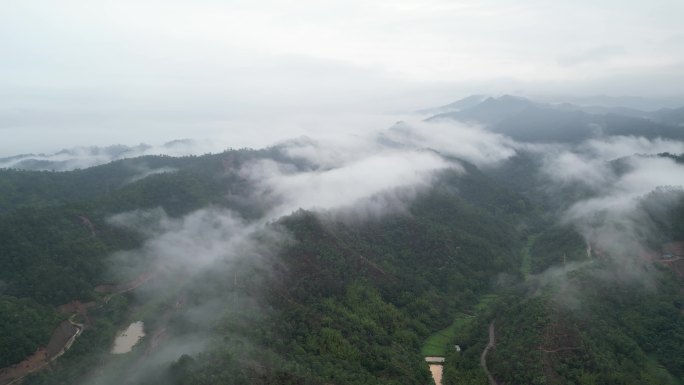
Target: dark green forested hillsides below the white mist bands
<point>331,299</point>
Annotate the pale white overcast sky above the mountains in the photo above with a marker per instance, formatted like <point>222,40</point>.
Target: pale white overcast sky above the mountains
<point>78,72</point>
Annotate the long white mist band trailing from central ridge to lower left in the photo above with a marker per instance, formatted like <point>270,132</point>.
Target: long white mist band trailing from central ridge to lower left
<point>351,177</point>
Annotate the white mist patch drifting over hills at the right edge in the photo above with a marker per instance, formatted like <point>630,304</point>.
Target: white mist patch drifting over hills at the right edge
<point>627,192</point>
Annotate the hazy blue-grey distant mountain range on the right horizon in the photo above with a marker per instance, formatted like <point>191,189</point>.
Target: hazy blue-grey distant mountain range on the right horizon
<point>526,120</point>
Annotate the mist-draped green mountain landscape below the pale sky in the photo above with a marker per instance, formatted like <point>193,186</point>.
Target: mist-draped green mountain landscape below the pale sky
<point>331,258</point>
